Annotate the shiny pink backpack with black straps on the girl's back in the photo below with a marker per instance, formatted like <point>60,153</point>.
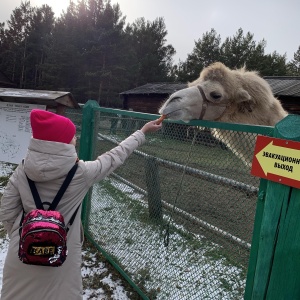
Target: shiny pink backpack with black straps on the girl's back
<point>43,233</point>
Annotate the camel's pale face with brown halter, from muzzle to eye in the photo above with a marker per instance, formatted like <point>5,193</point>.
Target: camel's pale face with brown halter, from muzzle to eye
<point>207,101</point>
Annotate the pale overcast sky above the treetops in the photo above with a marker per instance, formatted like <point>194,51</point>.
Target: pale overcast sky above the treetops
<point>276,21</point>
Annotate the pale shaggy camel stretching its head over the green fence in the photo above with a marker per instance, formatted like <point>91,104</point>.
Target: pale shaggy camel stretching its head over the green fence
<point>225,95</point>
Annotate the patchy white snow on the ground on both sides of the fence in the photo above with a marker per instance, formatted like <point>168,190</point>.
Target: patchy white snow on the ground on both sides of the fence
<point>139,247</point>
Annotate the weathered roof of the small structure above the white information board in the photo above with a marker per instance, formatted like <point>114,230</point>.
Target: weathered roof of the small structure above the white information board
<point>50,98</point>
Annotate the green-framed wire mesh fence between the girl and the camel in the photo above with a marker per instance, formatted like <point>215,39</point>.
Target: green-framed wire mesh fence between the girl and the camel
<point>177,218</point>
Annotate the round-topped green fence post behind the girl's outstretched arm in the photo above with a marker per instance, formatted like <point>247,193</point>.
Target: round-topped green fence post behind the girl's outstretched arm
<point>86,150</point>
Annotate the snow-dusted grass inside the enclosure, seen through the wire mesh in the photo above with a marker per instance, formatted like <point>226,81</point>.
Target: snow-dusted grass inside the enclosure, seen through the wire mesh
<point>189,268</point>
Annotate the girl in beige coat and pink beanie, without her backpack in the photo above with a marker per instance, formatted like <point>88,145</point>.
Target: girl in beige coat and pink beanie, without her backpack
<point>50,156</point>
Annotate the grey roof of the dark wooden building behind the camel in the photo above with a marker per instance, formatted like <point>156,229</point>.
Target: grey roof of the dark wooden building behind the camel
<point>280,85</point>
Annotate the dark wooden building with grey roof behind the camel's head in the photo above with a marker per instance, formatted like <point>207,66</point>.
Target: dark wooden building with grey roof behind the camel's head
<point>149,97</point>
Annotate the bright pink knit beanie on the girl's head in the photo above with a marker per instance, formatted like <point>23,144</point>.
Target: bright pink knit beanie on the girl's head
<point>48,126</point>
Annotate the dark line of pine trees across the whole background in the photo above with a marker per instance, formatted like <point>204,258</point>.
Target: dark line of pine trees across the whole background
<point>91,52</point>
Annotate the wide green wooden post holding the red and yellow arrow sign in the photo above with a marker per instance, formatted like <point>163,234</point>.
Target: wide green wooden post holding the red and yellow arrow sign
<point>277,271</point>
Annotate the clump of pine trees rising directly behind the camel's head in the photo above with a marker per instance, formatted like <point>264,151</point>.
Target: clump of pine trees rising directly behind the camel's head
<point>235,52</point>
